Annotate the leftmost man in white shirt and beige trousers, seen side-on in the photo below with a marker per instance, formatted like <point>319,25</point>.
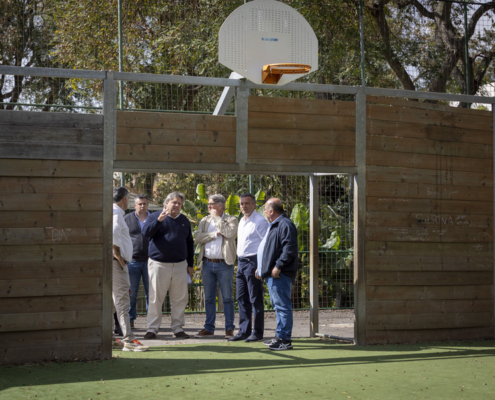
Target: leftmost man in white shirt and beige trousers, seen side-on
<point>122,254</point>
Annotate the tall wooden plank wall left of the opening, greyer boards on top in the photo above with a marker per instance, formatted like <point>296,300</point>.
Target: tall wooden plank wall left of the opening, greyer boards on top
<point>52,237</point>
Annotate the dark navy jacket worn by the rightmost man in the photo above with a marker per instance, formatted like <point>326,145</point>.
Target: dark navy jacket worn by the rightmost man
<point>281,249</point>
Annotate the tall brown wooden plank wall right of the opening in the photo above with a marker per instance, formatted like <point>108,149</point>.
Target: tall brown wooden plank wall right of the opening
<point>429,223</point>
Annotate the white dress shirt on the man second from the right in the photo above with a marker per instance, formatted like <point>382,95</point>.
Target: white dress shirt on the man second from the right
<point>250,234</point>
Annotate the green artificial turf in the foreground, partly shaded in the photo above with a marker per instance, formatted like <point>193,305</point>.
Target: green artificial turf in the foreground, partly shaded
<point>315,369</point>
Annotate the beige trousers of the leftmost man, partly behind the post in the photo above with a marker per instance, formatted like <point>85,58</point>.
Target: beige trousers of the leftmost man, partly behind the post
<point>121,302</point>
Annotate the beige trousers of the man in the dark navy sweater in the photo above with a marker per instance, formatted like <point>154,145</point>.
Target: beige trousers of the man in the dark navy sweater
<point>172,278</point>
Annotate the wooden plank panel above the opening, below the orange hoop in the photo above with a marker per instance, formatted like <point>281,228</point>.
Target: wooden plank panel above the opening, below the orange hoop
<point>301,132</point>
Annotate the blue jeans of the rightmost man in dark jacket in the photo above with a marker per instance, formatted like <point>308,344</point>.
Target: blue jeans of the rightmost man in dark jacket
<point>280,290</point>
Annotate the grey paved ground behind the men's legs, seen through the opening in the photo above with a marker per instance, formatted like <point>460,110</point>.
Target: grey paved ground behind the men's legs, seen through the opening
<point>332,322</point>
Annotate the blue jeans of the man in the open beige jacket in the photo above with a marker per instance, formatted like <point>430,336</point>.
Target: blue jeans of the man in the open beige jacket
<point>223,274</point>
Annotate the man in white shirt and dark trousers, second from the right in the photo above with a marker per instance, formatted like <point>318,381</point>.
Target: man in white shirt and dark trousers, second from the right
<point>252,229</point>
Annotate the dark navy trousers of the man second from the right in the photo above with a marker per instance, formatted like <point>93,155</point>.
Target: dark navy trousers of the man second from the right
<point>249,298</point>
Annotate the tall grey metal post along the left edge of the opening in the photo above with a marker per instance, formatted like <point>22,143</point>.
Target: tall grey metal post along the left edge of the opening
<point>109,152</point>
